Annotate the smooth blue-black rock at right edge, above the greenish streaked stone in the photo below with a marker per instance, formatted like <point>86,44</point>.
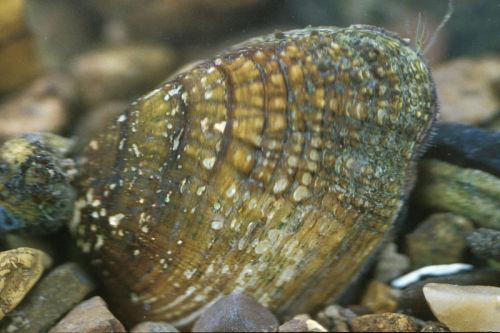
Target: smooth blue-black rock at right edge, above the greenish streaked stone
<point>467,146</point>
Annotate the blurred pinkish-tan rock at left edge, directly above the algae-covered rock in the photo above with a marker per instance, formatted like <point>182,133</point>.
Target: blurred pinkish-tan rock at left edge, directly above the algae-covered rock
<point>43,106</point>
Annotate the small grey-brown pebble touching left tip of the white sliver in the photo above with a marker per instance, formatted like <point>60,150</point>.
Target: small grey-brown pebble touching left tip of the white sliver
<point>390,263</point>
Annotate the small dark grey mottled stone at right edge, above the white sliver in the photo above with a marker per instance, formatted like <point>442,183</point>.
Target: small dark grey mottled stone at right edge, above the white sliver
<point>485,243</point>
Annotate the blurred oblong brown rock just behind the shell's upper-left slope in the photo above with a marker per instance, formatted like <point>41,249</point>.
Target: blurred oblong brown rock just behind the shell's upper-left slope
<point>135,69</point>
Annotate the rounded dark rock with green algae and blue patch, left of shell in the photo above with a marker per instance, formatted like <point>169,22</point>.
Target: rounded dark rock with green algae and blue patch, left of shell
<point>35,191</point>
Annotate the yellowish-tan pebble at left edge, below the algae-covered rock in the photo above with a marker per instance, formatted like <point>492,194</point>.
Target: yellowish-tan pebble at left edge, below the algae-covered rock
<point>20,269</point>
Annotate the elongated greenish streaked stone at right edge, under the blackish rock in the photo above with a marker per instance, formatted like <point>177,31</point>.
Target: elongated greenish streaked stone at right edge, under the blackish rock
<point>471,193</point>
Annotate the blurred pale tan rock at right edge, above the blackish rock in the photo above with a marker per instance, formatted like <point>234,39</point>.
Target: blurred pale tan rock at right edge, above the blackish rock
<point>465,89</point>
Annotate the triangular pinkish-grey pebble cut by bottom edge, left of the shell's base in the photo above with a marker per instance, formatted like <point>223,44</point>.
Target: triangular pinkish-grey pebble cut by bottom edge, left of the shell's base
<point>89,316</point>
